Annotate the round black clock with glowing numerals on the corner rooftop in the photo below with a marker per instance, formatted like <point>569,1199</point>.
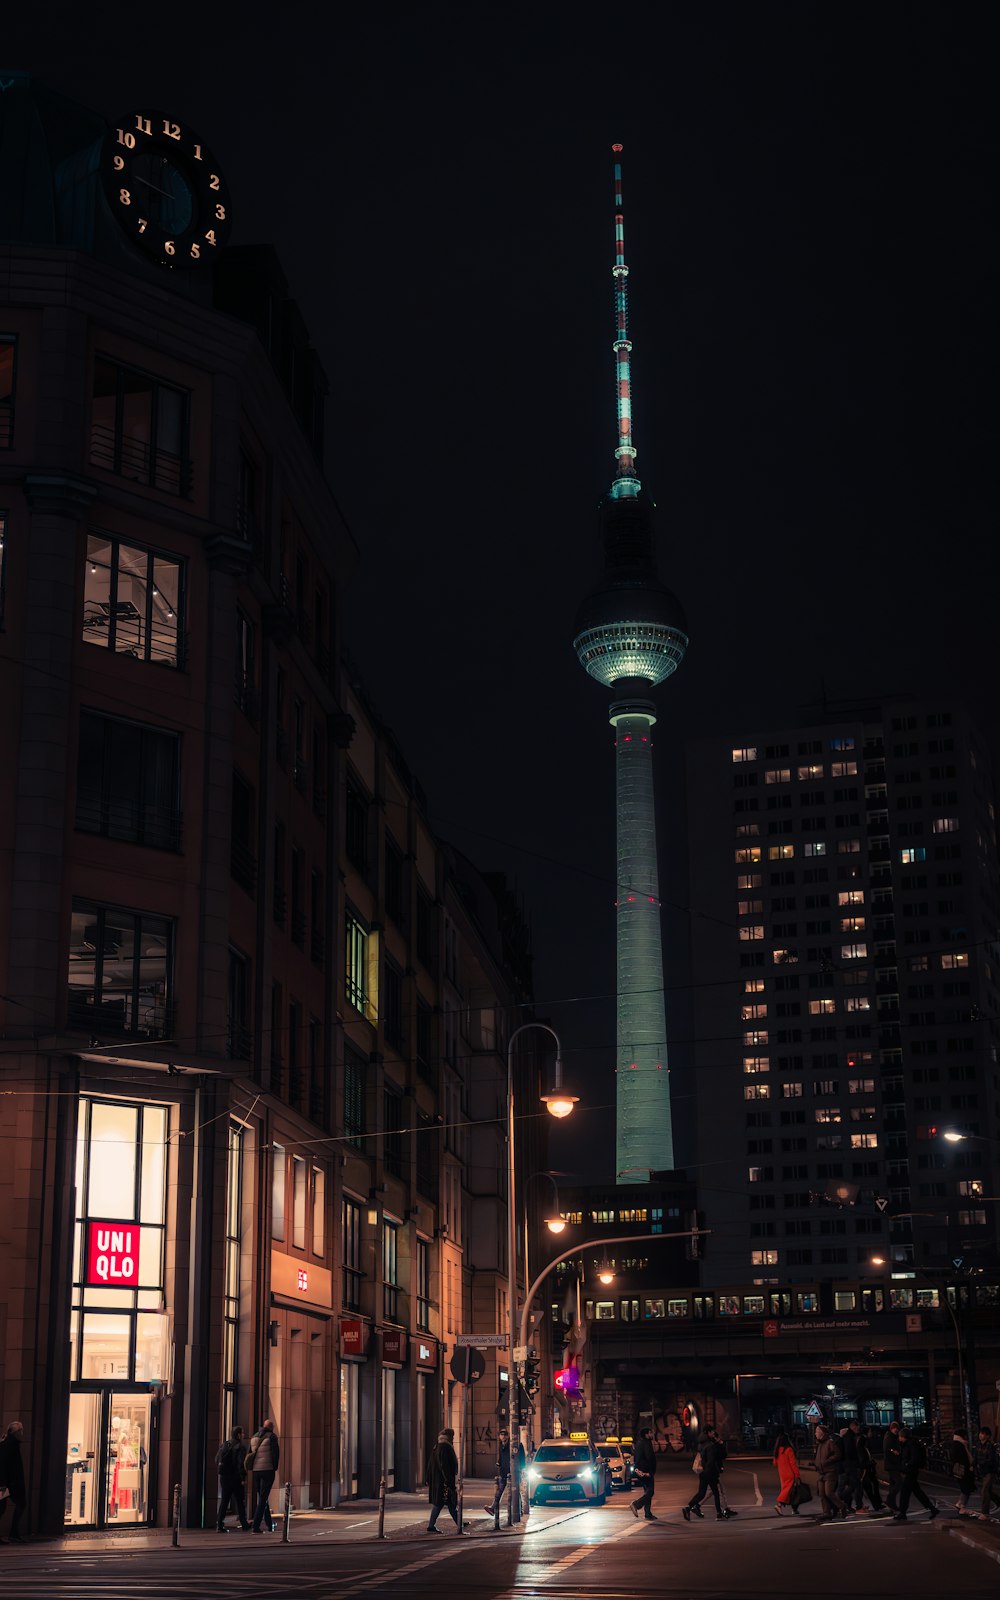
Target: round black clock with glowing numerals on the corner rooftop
<point>166,190</point>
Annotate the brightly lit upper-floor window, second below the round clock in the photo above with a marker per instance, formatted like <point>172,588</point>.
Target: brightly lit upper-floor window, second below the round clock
<point>134,601</point>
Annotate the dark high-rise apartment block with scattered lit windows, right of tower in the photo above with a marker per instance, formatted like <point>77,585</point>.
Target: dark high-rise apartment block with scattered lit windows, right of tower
<point>846,974</point>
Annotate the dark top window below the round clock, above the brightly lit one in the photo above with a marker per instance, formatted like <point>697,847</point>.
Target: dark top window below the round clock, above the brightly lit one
<point>140,428</point>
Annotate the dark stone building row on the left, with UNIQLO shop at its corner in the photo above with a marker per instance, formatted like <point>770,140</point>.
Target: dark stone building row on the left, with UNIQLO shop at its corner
<point>214,1204</point>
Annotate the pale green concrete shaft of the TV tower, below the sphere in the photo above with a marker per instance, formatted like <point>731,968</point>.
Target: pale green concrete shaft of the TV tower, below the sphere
<point>646,1140</point>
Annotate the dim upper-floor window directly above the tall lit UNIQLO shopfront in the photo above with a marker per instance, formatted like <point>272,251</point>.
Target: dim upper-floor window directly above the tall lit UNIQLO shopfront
<point>121,972</point>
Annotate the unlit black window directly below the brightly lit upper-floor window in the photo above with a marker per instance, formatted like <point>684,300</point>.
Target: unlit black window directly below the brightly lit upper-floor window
<point>129,782</point>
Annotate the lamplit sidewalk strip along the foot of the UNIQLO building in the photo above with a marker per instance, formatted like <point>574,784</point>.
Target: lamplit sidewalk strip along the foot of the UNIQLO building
<point>354,1522</point>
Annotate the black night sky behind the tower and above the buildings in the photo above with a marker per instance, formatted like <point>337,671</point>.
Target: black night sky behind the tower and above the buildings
<point>810,223</point>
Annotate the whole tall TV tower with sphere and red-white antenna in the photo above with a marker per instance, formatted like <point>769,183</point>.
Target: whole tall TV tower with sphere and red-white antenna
<point>631,634</point>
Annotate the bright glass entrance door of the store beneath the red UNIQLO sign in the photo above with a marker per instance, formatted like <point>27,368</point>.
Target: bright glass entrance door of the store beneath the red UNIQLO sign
<point>108,1458</point>
